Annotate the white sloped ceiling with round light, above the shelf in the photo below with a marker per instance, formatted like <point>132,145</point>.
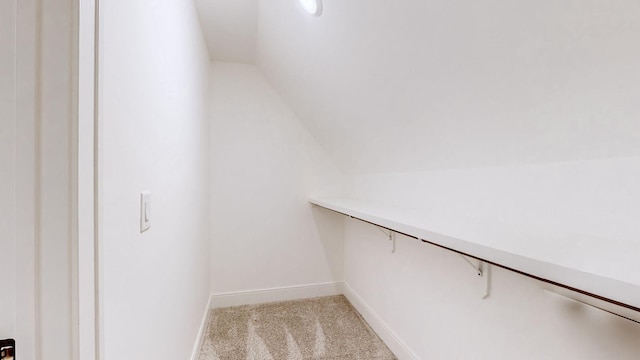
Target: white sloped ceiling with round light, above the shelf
<point>409,85</point>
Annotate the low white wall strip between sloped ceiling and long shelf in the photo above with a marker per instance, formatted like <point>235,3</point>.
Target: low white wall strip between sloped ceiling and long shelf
<point>596,199</point>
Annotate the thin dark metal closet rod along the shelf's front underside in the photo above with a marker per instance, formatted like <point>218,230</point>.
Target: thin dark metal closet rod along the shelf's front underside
<point>580,291</point>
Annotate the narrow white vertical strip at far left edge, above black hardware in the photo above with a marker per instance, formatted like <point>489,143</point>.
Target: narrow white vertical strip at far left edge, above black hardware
<point>7,169</point>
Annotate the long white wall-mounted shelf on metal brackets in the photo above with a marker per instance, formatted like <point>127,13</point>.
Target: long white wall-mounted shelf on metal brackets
<point>610,271</point>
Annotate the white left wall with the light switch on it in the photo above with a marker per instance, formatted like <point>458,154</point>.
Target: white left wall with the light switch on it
<point>153,78</point>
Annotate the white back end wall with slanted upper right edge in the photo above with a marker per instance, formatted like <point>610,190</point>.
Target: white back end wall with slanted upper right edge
<point>264,166</point>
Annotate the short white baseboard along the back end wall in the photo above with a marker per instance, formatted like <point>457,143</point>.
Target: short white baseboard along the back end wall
<point>275,294</point>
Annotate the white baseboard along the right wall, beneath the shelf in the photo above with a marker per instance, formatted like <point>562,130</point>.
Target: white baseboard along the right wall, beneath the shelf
<point>378,325</point>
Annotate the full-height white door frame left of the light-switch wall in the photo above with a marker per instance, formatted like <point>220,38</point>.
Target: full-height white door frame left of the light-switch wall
<point>80,62</point>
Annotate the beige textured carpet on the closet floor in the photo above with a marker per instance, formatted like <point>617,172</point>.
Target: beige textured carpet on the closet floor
<point>319,328</point>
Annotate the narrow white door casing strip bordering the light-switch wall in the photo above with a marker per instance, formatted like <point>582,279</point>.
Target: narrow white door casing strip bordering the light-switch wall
<point>87,264</point>
